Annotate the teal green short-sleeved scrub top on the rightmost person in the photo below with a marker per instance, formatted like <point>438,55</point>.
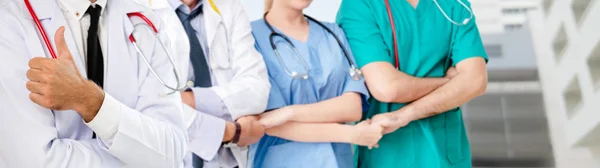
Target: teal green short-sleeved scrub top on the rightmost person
<point>427,44</point>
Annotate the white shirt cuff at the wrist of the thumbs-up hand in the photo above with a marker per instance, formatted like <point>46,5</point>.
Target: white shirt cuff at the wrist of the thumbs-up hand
<point>106,122</point>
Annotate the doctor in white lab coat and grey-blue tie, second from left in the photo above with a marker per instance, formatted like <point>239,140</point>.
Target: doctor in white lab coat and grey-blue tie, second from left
<point>238,77</point>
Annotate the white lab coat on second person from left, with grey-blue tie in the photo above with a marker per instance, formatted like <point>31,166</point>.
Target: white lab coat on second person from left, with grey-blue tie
<point>242,79</point>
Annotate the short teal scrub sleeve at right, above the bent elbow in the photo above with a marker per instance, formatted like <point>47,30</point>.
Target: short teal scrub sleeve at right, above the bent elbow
<point>466,40</point>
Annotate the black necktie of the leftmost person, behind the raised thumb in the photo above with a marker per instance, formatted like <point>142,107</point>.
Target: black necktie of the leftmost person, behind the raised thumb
<point>95,62</point>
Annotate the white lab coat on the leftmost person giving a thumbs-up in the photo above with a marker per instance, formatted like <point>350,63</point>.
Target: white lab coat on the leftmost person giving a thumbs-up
<point>150,131</point>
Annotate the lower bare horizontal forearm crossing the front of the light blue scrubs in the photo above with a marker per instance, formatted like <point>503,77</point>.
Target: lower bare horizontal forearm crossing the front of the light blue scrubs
<point>313,132</point>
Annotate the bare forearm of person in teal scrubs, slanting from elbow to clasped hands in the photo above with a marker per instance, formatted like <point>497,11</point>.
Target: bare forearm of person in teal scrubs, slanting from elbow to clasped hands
<point>461,89</point>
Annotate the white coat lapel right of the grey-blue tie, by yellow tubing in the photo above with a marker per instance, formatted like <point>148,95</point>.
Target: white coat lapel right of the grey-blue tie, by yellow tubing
<point>212,20</point>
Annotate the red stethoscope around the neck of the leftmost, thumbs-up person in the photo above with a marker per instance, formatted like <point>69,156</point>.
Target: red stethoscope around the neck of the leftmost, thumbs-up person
<point>148,24</point>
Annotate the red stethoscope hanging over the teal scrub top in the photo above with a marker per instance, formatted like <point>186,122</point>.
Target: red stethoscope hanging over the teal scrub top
<point>391,18</point>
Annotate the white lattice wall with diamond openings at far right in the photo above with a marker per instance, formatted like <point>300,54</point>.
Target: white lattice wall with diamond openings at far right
<point>575,140</point>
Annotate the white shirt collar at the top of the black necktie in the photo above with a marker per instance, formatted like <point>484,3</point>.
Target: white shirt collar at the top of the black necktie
<point>79,7</point>
